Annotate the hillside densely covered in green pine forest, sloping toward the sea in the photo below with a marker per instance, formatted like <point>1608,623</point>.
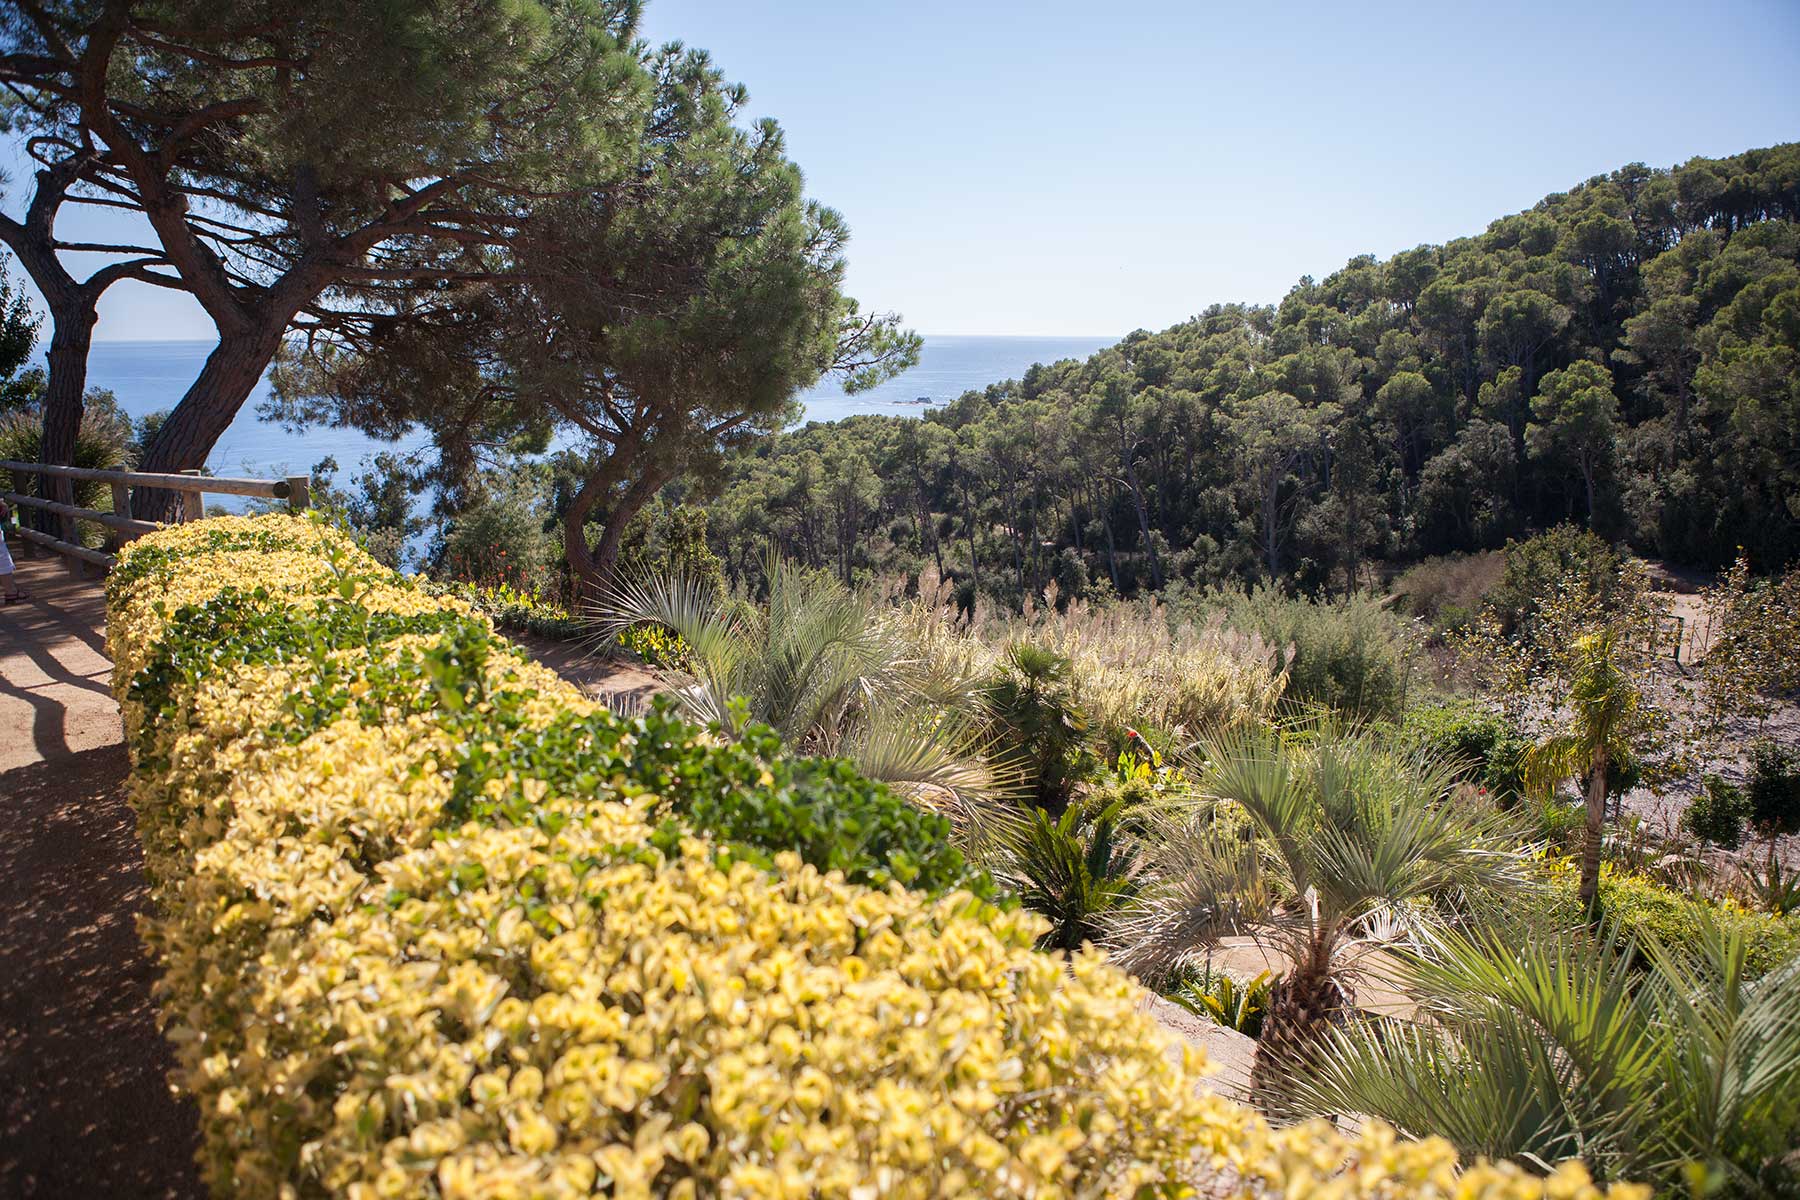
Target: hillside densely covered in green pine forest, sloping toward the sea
<point>1624,355</point>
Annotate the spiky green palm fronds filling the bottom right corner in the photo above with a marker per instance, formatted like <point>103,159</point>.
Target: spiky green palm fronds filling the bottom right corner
<point>1664,1068</point>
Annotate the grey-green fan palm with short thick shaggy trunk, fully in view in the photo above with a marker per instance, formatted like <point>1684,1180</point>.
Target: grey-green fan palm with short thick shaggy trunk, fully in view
<point>1351,846</point>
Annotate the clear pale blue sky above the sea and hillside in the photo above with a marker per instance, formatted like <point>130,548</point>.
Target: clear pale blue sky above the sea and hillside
<point>1090,170</point>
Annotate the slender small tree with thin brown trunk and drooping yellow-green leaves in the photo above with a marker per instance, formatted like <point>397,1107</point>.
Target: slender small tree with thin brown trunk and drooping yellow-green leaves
<point>1605,706</point>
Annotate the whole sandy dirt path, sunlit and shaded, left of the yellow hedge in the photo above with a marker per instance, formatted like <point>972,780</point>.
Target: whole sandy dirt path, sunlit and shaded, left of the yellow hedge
<point>85,1109</point>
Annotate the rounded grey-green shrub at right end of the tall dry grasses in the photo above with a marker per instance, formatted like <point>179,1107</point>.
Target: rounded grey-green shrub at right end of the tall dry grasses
<point>1351,656</point>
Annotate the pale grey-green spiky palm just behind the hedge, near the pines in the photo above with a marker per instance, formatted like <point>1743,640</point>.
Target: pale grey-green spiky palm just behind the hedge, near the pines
<point>827,668</point>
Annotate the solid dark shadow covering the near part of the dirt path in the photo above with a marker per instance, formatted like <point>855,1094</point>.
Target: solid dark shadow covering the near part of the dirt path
<point>85,1107</point>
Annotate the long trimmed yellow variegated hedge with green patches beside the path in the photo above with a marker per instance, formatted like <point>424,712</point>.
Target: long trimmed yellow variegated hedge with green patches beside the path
<point>435,926</point>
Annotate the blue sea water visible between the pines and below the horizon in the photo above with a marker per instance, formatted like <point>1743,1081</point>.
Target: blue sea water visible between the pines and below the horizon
<point>154,375</point>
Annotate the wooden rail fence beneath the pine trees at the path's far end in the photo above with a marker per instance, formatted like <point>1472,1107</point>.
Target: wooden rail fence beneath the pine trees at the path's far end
<point>190,487</point>
